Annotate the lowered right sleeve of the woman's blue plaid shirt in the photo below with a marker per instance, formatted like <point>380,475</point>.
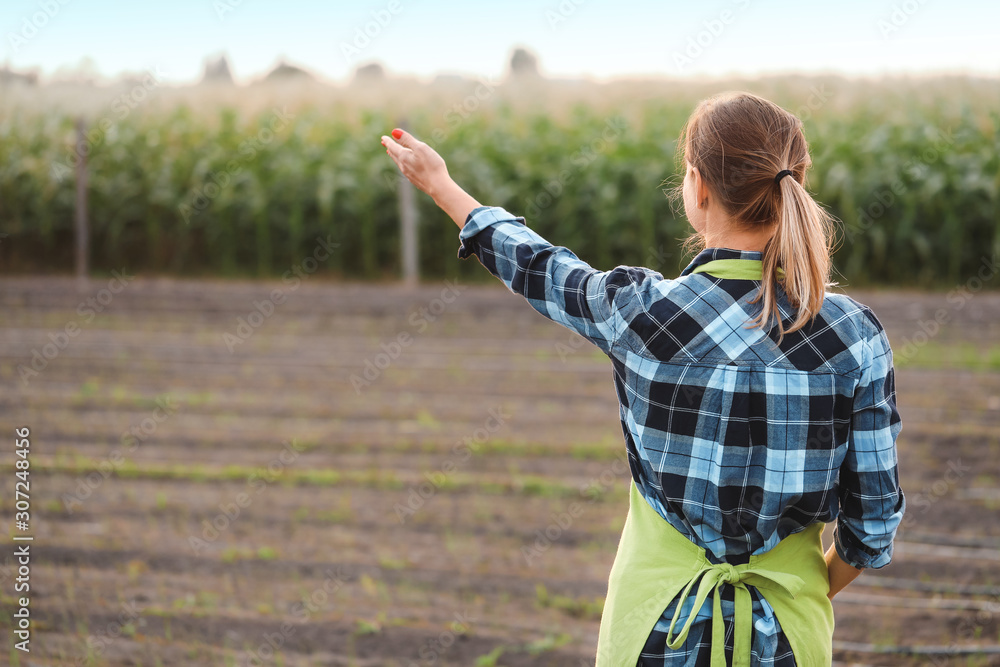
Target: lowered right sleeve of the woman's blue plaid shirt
<point>871,501</point>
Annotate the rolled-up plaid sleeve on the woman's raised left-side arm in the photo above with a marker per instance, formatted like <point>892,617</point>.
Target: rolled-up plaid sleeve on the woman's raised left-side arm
<point>555,281</point>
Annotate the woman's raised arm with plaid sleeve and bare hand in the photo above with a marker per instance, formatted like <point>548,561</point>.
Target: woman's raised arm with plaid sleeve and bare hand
<point>555,281</point>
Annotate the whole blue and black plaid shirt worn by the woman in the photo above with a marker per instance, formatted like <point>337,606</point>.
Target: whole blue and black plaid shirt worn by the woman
<point>735,440</point>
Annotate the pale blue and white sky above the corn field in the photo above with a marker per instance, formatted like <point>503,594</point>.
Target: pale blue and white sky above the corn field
<point>597,39</point>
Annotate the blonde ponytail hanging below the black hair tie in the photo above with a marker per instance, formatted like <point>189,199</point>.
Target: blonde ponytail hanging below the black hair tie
<point>797,257</point>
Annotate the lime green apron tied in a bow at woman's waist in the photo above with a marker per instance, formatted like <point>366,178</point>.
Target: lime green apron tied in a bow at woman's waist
<point>655,562</point>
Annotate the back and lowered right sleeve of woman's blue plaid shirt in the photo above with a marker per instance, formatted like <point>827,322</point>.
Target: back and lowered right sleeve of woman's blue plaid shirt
<point>739,441</point>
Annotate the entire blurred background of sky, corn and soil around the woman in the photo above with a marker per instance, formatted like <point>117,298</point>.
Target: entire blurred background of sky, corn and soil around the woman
<point>275,420</point>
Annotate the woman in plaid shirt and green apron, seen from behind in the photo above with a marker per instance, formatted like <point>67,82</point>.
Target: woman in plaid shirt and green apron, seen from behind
<point>756,406</point>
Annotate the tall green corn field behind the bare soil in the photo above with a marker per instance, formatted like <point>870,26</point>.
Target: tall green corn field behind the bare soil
<point>243,182</point>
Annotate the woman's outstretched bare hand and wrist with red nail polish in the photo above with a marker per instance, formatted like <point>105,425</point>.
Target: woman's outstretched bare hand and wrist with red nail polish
<point>423,167</point>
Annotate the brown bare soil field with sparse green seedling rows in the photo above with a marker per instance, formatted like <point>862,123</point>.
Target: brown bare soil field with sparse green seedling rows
<point>258,473</point>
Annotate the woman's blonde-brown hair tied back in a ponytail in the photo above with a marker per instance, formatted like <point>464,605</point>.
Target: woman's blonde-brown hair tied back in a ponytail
<point>740,142</point>
